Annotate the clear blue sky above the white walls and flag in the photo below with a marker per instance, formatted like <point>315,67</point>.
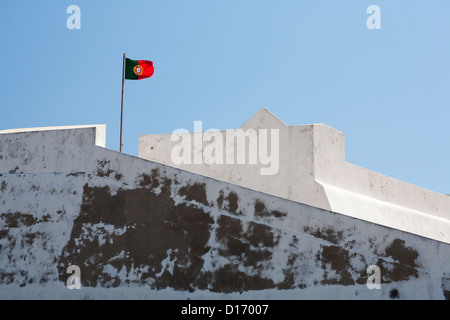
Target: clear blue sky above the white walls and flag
<point>308,62</point>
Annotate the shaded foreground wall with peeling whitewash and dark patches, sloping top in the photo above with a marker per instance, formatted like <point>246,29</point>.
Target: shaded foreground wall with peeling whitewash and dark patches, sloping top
<point>143,230</point>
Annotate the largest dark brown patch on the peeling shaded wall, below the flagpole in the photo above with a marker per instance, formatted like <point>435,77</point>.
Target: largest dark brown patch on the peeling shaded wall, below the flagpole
<point>154,229</point>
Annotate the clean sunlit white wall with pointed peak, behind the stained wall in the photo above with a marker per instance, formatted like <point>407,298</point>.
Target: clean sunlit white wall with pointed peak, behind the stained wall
<point>313,170</point>
